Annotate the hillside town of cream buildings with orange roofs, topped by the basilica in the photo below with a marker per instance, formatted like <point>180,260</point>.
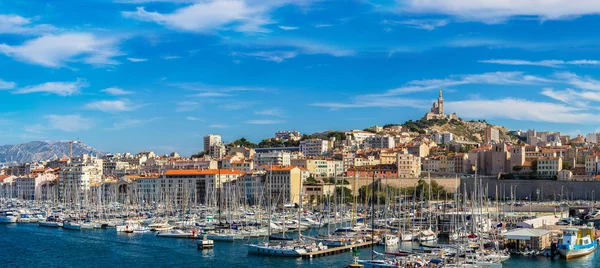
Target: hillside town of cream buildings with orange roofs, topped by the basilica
<point>307,163</point>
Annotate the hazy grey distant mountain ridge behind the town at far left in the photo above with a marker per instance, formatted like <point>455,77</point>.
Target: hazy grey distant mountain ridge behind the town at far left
<point>42,150</point>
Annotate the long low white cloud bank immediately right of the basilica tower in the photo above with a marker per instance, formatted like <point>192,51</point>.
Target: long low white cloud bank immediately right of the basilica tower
<point>524,110</point>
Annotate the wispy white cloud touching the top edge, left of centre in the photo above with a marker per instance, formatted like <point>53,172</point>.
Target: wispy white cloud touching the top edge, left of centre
<point>210,15</point>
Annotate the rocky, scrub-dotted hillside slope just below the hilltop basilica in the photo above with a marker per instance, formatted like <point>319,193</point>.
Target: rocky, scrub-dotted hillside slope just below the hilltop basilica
<point>461,130</point>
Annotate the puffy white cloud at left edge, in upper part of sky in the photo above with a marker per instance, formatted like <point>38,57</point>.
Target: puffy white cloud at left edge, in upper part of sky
<point>56,50</point>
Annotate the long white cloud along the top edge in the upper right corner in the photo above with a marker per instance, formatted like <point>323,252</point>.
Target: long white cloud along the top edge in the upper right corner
<point>494,11</point>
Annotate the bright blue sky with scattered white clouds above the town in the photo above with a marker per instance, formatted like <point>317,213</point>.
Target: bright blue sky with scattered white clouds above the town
<point>133,75</point>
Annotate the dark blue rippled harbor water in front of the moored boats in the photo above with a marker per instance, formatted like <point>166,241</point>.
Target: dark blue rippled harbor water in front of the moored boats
<point>28,245</point>
